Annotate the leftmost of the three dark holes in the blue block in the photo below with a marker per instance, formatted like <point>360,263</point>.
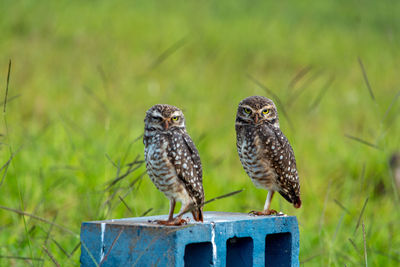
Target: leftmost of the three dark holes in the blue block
<point>198,254</point>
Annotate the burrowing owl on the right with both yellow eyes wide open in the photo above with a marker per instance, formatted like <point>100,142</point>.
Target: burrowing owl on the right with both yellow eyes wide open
<point>265,152</point>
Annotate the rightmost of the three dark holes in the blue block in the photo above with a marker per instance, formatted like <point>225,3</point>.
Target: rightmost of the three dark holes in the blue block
<point>278,249</point>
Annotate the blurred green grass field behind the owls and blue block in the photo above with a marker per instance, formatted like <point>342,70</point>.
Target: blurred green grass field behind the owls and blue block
<point>84,73</point>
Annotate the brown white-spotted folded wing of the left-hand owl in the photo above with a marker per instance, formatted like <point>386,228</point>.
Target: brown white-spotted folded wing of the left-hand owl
<point>188,168</point>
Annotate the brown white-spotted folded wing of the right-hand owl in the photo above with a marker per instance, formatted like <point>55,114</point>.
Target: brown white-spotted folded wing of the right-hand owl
<point>281,155</point>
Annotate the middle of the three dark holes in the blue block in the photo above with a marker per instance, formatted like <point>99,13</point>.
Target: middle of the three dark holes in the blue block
<point>239,251</point>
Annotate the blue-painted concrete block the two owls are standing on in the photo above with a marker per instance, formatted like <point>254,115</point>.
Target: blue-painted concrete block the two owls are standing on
<point>224,239</point>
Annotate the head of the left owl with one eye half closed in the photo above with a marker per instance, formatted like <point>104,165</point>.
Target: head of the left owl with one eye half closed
<point>164,118</point>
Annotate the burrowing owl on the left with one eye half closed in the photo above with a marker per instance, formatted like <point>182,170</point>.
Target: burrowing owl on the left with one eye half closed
<point>173,162</point>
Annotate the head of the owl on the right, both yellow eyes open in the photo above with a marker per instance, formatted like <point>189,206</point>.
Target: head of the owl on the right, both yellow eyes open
<point>255,110</point>
